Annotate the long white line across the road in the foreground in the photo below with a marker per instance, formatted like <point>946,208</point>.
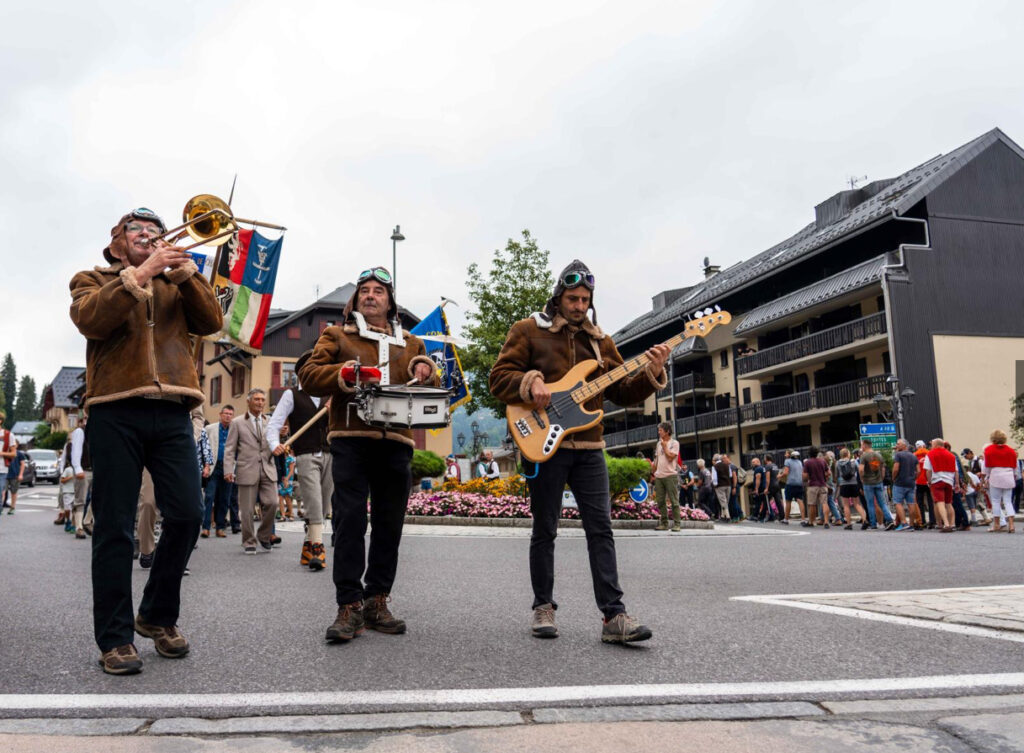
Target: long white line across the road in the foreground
<point>491,697</point>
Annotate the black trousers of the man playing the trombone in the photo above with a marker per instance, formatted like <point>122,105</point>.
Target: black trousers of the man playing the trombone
<point>125,437</point>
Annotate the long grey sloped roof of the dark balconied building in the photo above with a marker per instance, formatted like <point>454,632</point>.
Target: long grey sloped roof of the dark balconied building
<point>901,196</point>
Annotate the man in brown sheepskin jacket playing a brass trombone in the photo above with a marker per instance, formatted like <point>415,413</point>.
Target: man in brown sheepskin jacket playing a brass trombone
<point>137,316</point>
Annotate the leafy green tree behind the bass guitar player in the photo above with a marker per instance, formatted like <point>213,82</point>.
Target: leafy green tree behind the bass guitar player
<point>519,284</point>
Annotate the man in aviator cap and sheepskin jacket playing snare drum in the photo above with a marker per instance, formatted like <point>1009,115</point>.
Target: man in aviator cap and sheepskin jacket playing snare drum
<point>367,461</point>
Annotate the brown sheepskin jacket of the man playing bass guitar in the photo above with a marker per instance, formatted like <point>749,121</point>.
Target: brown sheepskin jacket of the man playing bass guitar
<point>539,350</point>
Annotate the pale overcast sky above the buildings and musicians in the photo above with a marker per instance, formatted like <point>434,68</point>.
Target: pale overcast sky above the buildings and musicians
<point>638,137</point>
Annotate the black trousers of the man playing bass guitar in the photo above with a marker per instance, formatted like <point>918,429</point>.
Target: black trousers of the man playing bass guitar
<point>587,476</point>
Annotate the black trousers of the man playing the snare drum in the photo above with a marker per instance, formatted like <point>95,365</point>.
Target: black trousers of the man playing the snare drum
<point>378,469</point>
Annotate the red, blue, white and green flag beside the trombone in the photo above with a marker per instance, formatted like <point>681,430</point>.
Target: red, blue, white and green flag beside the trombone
<point>244,284</point>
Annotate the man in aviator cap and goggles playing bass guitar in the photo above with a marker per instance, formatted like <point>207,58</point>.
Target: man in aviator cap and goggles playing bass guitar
<point>542,350</point>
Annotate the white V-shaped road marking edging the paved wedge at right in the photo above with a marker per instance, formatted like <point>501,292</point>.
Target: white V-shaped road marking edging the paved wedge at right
<point>793,600</point>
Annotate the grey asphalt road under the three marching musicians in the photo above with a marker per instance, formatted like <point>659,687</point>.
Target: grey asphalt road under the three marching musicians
<point>257,623</point>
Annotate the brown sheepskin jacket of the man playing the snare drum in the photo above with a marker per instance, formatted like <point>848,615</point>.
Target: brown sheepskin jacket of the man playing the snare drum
<point>340,347</point>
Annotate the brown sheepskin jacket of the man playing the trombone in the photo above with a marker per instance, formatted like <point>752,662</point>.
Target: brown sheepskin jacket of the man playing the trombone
<point>138,338</point>
